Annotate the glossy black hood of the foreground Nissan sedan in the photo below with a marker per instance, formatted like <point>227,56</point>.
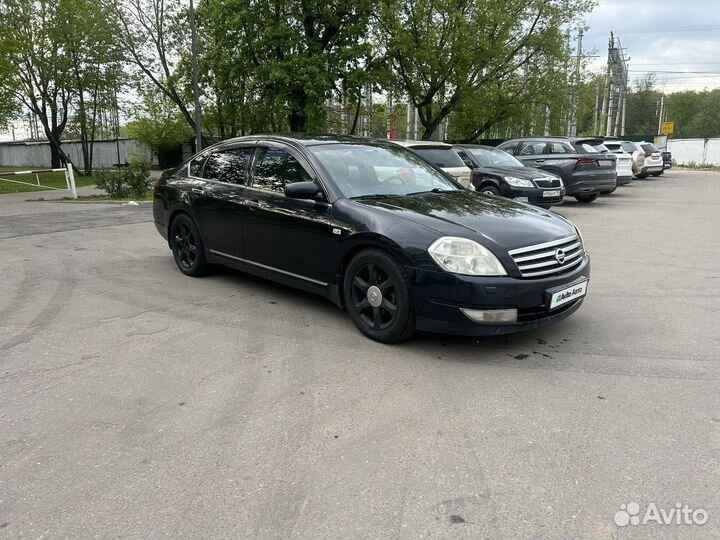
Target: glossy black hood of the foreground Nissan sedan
<point>505,223</point>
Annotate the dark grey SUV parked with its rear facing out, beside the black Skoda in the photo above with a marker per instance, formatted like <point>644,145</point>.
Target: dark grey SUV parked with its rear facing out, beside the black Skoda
<point>585,172</point>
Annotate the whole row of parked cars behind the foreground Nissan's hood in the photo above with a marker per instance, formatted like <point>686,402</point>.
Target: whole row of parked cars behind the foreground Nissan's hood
<point>543,170</point>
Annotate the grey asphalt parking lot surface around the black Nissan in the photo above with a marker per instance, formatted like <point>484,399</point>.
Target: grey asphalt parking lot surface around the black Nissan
<point>138,403</point>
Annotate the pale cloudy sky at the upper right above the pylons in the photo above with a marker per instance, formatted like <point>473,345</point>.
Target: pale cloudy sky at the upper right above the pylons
<point>679,40</point>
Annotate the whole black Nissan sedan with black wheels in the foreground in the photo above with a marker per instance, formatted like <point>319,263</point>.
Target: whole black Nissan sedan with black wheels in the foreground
<point>377,230</point>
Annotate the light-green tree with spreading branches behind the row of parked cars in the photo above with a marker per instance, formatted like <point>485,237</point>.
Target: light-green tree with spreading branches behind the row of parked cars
<point>475,51</point>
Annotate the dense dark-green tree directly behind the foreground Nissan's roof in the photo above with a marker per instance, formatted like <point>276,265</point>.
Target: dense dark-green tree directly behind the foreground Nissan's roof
<point>286,56</point>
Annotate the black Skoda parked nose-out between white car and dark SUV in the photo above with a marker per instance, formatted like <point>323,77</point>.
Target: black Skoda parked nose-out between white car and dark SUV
<point>498,173</point>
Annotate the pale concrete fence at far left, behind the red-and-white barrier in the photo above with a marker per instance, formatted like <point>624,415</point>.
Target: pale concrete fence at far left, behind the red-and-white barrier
<point>105,153</point>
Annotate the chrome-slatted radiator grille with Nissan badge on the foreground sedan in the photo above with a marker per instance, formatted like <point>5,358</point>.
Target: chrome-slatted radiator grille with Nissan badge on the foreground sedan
<point>549,258</point>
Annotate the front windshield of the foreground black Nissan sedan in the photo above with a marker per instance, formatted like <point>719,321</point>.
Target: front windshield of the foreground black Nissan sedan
<point>362,170</point>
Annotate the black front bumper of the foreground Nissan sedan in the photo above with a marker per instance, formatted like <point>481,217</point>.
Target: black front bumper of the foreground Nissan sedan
<point>440,295</point>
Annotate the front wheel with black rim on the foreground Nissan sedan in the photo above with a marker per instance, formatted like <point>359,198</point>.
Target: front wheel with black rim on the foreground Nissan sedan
<point>378,297</point>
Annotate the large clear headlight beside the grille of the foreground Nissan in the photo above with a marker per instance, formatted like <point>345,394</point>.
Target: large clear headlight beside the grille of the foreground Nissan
<point>463,256</point>
